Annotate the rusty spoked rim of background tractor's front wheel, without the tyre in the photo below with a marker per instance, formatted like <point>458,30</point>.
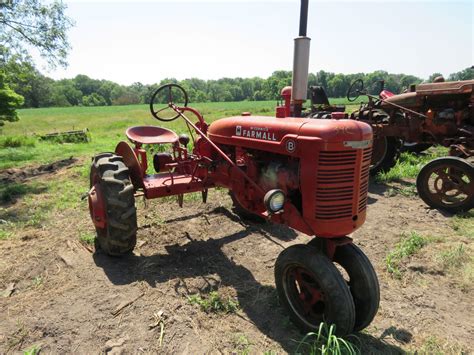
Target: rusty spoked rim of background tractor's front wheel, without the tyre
<point>449,186</point>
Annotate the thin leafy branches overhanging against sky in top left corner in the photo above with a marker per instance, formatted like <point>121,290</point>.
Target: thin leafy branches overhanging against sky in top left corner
<point>35,23</point>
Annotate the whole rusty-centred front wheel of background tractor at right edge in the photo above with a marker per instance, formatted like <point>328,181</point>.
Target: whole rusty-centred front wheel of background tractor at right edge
<point>448,184</point>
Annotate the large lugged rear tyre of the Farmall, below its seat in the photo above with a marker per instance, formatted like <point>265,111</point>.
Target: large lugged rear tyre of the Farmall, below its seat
<point>112,177</point>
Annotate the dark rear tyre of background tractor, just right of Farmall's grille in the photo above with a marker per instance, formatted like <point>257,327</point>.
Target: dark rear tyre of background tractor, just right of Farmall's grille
<point>385,153</point>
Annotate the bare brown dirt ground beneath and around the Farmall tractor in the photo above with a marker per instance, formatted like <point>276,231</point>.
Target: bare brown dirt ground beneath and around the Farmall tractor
<point>63,297</point>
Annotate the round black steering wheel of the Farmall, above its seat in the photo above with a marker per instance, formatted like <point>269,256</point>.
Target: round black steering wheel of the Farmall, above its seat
<point>163,99</point>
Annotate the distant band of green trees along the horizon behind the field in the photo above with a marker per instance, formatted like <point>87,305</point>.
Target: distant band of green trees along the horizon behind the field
<point>38,90</point>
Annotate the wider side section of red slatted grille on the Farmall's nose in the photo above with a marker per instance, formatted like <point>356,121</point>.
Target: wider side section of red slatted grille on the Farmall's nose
<point>335,177</point>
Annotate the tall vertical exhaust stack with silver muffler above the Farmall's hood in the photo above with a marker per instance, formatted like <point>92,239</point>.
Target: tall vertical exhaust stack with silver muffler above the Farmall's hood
<point>299,84</point>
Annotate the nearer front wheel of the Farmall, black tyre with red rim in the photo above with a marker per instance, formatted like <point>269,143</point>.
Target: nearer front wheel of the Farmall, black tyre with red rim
<point>312,290</point>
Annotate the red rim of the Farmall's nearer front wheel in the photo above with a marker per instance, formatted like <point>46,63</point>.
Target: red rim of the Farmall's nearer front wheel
<point>304,294</point>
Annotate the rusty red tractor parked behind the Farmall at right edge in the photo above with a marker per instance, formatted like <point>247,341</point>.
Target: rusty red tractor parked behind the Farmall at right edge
<point>440,113</point>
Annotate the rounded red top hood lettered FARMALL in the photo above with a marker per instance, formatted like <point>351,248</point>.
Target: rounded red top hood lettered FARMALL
<point>276,134</point>
